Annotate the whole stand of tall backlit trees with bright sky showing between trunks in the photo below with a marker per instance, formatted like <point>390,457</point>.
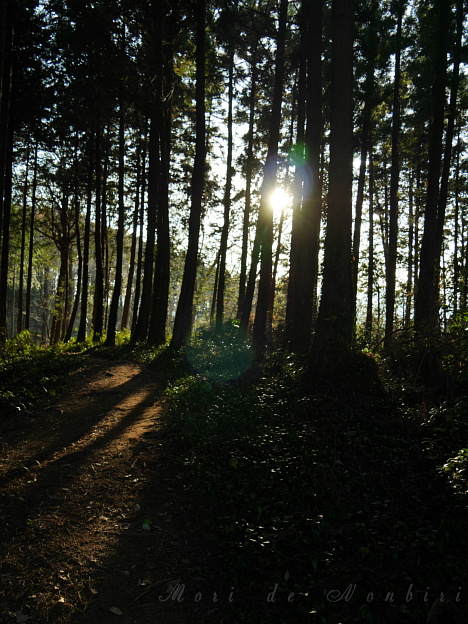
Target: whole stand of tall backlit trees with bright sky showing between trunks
<point>140,144</point>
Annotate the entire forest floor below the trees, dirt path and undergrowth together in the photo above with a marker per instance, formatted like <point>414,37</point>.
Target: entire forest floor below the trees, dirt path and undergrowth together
<point>152,495</point>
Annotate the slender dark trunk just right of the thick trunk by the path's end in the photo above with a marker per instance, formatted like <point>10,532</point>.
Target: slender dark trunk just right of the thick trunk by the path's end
<point>226,202</point>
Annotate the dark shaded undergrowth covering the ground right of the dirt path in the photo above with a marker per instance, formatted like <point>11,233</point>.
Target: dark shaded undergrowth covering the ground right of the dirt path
<point>327,502</point>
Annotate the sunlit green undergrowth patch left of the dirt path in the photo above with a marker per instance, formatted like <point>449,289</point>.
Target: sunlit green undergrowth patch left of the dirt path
<point>29,372</point>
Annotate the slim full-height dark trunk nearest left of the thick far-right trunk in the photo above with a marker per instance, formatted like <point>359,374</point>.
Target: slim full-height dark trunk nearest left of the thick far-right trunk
<point>394,179</point>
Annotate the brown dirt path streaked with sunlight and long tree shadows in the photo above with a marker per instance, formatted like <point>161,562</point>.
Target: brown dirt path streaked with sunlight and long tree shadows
<point>98,523</point>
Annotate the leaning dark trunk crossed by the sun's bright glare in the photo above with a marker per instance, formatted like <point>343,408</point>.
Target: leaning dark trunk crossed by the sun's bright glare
<point>263,313</point>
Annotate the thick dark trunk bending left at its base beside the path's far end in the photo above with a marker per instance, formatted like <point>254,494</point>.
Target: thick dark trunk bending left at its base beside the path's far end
<point>183,318</point>
